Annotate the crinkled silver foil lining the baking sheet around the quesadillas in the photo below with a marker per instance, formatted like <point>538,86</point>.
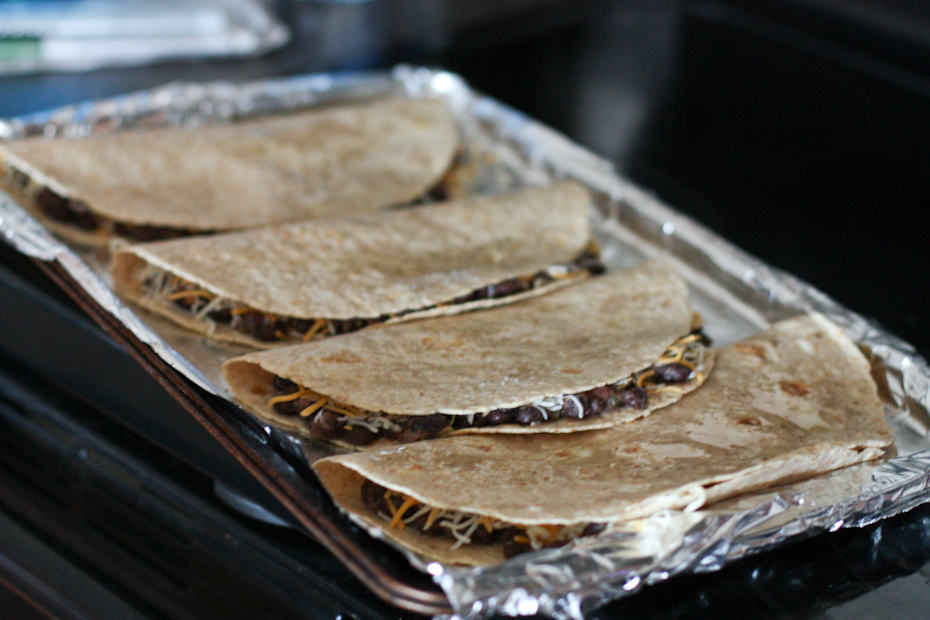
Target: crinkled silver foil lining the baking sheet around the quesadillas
<point>736,294</point>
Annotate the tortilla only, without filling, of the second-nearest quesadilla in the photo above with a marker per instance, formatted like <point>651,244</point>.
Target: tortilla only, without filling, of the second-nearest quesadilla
<point>594,333</point>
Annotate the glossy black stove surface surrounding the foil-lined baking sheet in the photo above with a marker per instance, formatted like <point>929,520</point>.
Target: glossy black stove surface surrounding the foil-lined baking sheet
<point>800,135</point>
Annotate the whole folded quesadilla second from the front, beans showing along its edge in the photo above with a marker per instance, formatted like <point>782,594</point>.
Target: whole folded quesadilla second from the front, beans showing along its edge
<point>604,351</point>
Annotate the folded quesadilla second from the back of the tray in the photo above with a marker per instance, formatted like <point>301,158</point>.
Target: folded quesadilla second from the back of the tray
<point>309,280</point>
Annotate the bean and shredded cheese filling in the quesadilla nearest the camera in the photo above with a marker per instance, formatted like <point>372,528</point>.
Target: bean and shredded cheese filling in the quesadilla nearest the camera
<point>462,528</point>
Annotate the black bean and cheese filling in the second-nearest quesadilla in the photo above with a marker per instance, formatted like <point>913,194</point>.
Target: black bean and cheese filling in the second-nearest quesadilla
<point>324,419</point>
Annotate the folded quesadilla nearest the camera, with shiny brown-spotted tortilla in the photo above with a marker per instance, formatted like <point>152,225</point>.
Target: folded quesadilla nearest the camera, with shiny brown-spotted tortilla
<point>794,401</point>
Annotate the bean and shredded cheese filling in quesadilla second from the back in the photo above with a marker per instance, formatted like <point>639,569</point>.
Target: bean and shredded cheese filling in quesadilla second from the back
<point>269,327</point>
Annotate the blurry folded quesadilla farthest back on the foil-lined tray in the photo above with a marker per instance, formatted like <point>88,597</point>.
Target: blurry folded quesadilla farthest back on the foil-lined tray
<point>147,184</point>
